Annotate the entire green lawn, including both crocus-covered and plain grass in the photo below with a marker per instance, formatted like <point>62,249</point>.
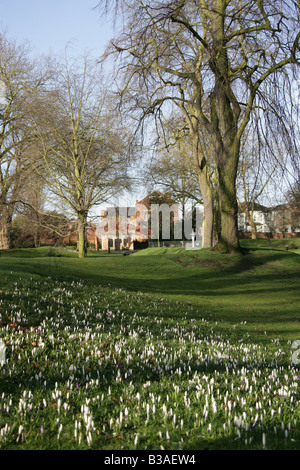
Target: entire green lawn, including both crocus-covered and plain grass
<point>165,348</point>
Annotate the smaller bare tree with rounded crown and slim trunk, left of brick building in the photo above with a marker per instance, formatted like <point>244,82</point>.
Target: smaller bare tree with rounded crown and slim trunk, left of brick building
<point>79,140</point>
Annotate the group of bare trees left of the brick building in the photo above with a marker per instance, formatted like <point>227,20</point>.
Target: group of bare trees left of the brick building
<point>63,147</point>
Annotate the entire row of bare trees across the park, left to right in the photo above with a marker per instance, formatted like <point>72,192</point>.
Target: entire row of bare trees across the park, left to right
<point>215,77</point>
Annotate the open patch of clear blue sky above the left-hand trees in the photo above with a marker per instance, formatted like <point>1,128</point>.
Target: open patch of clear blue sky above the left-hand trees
<point>49,25</point>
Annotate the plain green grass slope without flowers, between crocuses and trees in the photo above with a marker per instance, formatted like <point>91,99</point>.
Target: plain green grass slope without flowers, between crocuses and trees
<point>260,288</point>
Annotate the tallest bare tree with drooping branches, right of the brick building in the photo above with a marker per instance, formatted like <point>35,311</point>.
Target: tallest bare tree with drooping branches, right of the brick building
<point>216,61</point>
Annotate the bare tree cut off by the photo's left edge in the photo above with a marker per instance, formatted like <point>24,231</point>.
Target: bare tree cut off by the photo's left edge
<point>20,78</point>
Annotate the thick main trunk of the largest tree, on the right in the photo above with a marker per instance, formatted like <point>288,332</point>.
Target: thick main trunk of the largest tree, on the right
<point>225,112</point>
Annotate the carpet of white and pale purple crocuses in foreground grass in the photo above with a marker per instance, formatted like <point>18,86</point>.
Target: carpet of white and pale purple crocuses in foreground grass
<point>102,368</point>
